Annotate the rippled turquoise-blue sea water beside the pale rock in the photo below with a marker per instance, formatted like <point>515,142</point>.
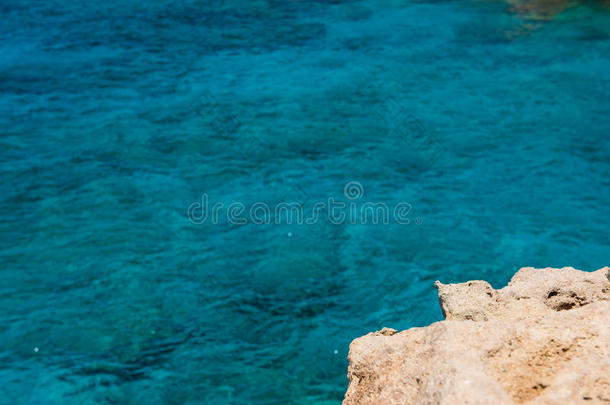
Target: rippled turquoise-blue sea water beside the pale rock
<point>117,116</point>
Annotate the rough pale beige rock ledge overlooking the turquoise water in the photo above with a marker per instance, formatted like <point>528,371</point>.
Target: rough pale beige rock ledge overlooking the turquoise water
<point>543,339</point>
